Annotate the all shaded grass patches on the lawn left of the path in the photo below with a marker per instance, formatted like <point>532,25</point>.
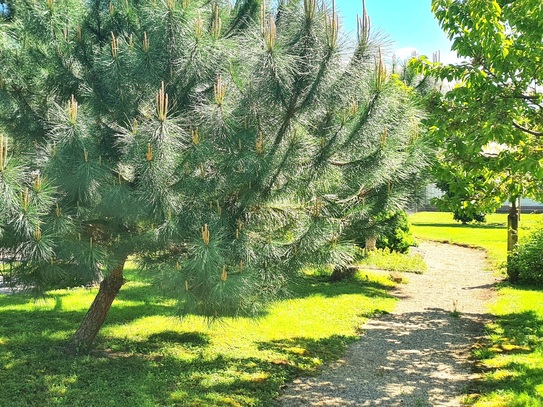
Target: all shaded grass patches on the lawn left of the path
<point>167,368</point>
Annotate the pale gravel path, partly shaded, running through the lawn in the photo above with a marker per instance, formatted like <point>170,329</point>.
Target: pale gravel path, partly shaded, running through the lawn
<point>418,355</point>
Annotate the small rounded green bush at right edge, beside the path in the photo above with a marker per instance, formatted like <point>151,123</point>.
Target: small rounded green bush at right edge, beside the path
<point>525,263</point>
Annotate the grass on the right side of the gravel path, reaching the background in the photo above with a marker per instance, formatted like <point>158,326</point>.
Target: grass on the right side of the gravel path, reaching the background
<point>511,358</point>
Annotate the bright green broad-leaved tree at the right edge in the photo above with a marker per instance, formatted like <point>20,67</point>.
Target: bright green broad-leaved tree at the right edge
<point>490,125</point>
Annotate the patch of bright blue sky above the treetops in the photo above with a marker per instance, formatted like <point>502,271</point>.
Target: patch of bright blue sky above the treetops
<point>408,23</point>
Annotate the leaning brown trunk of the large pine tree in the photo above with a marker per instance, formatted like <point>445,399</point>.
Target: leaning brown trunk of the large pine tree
<point>96,315</point>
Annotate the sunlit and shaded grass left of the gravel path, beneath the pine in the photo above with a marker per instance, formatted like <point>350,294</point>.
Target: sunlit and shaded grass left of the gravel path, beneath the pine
<point>147,356</point>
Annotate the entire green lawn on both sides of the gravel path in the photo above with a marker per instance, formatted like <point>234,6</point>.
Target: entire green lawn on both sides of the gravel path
<point>147,356</point>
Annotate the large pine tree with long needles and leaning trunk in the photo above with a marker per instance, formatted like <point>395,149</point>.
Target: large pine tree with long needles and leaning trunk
<point>225,147</point>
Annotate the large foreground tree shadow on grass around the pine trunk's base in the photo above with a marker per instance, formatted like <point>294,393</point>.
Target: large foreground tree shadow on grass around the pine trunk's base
<point>36,372</point>
